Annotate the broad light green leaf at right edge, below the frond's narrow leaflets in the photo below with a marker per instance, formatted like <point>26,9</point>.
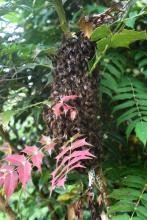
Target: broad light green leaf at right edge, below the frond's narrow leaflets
<point>141,131</point>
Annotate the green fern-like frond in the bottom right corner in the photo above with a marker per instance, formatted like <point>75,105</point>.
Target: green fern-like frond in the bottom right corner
<point>130,198</point>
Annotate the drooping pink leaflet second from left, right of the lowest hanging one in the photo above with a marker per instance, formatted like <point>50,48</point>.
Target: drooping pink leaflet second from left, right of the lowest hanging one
<point>24,172</point>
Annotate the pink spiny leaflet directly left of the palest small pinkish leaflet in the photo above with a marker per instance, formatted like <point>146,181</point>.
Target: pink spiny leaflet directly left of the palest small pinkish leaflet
<point>36,155</point>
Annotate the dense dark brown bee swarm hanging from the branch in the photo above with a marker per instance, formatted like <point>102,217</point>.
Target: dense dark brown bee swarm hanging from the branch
<point>69,117</point>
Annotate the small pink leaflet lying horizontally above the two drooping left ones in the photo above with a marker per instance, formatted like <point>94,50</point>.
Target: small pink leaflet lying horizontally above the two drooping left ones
<point>16,159</point>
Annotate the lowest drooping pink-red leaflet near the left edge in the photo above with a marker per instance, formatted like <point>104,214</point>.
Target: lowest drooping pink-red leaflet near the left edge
<point>10,182</point>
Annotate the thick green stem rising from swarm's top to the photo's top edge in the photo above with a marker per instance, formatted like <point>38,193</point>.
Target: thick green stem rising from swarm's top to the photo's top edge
<point>62,17</point>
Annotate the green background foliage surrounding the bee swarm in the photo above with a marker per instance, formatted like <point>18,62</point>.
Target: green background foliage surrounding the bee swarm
<point>30,34</point>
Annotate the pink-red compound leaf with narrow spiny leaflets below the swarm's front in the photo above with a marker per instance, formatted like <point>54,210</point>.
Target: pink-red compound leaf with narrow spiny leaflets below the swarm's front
<point>70,160</point>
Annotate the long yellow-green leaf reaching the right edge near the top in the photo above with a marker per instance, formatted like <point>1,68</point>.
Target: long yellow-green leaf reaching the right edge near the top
<point>126,37</point>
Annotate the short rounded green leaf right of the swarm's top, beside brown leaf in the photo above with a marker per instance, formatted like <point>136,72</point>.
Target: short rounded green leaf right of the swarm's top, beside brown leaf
<point>100,32</point>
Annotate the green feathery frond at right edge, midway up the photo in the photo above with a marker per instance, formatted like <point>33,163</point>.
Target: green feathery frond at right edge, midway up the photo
<point>131,103</point>
